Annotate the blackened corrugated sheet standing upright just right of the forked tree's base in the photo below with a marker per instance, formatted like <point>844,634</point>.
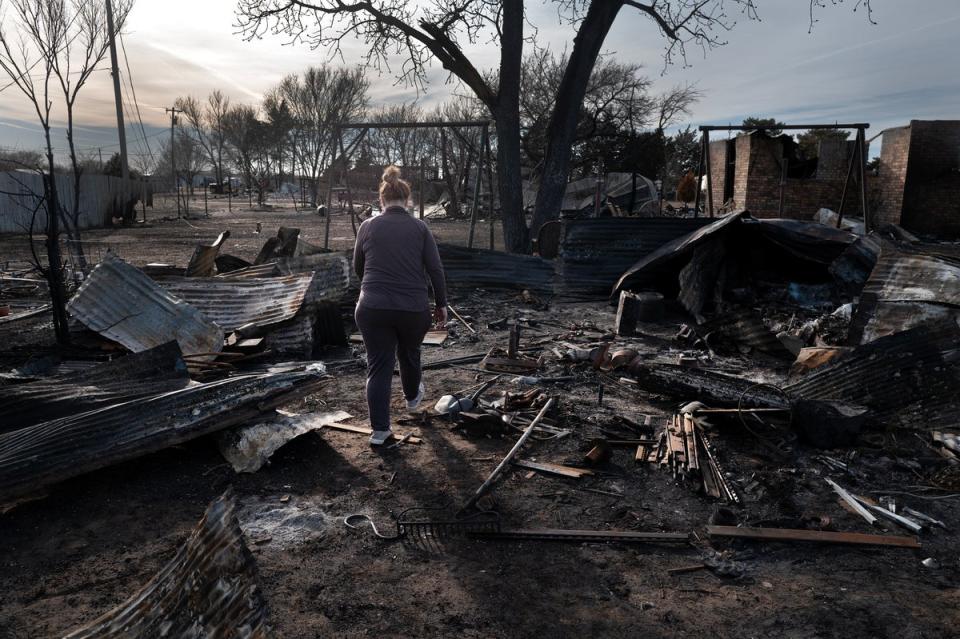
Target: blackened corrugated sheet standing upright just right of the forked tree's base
<point>594,253</point>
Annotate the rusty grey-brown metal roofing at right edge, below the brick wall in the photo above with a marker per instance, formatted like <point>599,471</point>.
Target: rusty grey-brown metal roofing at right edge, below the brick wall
<point>909,285</point>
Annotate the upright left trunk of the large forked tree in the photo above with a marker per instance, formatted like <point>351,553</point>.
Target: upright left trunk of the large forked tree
<point>516,236</point>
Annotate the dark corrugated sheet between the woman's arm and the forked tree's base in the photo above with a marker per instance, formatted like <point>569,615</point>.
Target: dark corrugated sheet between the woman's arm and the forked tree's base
<point>482,268</point>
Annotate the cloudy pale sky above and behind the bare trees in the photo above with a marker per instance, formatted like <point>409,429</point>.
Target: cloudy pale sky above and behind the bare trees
<point>846,69</point>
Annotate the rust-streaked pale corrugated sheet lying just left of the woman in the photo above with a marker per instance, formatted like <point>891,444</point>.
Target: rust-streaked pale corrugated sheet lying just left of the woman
<point>235,302</point>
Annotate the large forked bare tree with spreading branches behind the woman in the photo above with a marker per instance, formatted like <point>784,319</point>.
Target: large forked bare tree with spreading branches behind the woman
<point>437,30</point>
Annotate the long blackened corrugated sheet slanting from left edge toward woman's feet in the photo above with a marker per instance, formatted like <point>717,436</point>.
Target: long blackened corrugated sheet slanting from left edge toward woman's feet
<point>53,451</point>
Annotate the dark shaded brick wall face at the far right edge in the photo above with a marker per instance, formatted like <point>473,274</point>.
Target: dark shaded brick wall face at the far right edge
<point>931,197</point>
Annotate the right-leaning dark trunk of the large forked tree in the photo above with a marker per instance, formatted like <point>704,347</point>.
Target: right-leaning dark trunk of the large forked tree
<point>562,129</point>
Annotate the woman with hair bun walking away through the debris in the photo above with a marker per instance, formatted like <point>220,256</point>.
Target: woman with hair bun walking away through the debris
<point>394,255</point>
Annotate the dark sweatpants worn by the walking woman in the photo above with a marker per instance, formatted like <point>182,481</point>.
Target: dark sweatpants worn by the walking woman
<point>386,335</point>
